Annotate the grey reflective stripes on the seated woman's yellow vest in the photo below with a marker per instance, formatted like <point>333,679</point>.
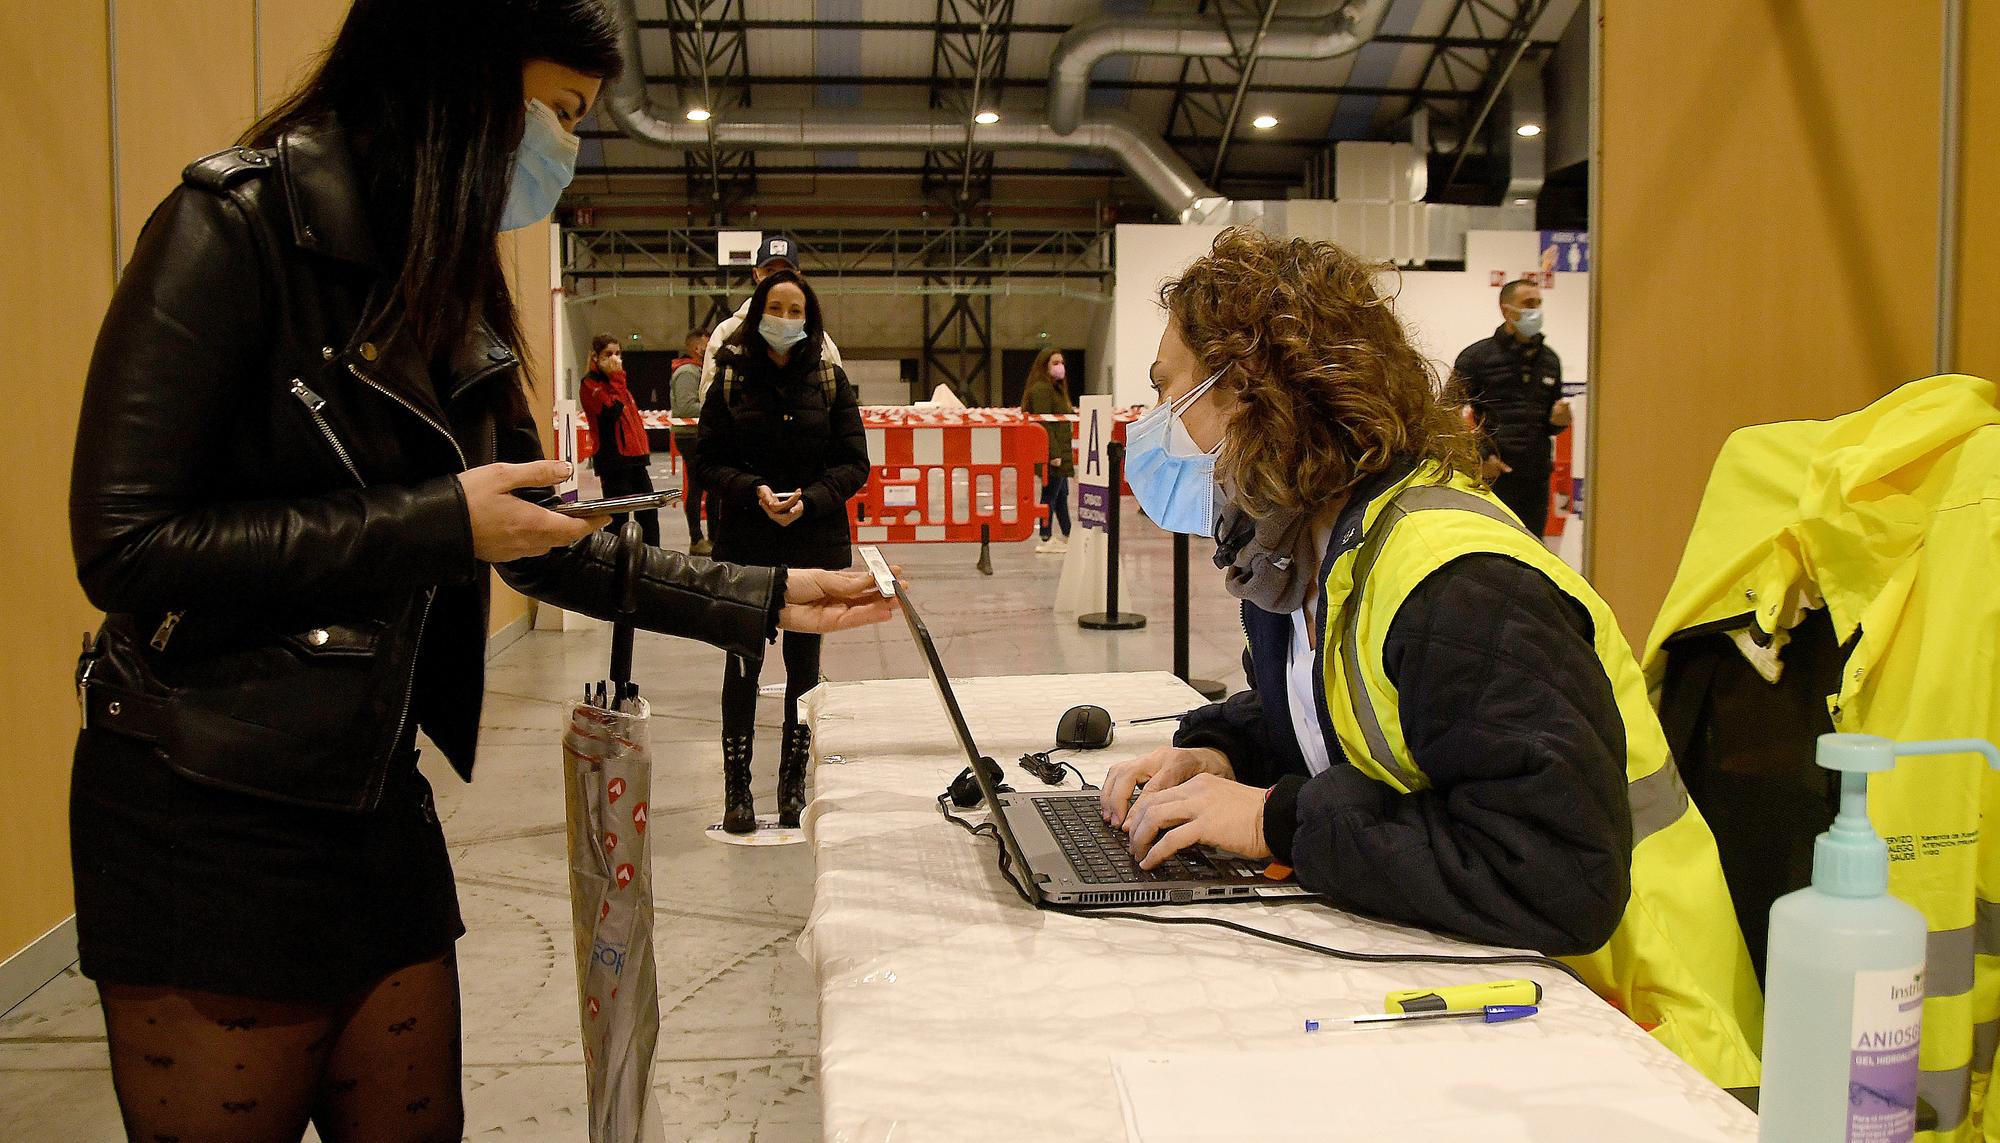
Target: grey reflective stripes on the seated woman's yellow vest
<point>1659,800</point>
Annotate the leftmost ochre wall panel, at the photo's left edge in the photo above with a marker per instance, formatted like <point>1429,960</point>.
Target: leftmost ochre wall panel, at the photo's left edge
<point>55,283</point>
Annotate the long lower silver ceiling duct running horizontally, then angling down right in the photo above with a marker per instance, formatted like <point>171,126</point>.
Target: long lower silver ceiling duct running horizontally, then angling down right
<point>1143,155</point>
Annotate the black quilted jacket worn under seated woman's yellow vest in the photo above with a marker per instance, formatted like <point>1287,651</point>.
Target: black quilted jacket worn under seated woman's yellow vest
<point>1525,836</point>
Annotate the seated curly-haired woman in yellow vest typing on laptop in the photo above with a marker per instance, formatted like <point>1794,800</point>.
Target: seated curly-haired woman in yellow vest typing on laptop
<point>1447,726</point>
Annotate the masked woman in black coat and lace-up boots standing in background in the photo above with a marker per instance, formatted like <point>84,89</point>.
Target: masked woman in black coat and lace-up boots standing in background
<point>781,453</point>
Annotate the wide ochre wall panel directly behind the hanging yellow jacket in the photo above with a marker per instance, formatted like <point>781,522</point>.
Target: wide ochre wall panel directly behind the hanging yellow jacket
<point>1767,245</point>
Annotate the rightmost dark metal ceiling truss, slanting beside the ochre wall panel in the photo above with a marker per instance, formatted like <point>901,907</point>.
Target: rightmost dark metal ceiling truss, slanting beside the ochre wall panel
<point>1469,69</point>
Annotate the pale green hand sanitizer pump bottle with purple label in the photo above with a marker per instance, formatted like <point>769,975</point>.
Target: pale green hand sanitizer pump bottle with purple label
<point>1845,1000</point>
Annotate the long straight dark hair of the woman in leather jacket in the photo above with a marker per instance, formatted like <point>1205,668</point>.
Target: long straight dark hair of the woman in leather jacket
<point>429,95</point>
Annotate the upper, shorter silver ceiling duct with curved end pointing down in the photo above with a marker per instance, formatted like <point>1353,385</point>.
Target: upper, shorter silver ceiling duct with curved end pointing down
<point>1091,41</point>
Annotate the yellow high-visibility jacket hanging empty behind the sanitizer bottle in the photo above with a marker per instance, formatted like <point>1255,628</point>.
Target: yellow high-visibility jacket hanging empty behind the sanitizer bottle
<point>1889,519</point>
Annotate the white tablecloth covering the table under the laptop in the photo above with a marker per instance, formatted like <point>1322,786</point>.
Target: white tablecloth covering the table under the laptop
<point>951,1010</point>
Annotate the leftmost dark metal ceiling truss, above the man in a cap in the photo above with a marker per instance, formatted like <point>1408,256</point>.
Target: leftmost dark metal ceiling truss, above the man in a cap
<point>711,55</point>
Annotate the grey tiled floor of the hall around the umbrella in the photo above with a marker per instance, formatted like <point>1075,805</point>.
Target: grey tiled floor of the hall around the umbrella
<point>737,1004</point>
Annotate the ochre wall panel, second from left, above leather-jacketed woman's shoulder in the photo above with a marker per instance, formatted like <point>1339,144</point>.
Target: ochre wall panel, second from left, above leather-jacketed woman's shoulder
<point>185,89</point>
